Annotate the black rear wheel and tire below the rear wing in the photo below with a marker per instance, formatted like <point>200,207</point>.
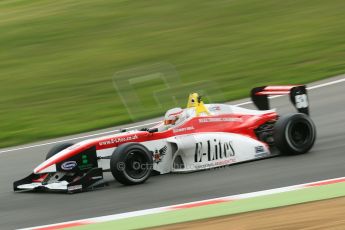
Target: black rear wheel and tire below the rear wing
<point>294,134</point>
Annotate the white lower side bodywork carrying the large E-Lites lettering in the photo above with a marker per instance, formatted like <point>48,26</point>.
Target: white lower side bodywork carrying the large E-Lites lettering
<point>198,151</point>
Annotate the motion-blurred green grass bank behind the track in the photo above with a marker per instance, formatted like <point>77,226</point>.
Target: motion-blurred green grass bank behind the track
<point>58,58</point>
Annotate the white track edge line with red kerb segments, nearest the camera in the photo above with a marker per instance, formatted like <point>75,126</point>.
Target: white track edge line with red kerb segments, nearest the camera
<point>163,209</point>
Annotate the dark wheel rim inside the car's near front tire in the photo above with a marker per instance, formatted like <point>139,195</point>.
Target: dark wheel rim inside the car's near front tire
<point>136,165</point>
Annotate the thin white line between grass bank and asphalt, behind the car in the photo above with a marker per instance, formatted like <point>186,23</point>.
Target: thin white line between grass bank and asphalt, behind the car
<point>102,133</point>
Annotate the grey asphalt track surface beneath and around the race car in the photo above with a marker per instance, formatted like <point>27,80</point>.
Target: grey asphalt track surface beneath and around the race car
<point>326,160</point>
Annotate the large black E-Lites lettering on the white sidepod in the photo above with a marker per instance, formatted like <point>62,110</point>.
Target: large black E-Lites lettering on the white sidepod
<point>213,150</point>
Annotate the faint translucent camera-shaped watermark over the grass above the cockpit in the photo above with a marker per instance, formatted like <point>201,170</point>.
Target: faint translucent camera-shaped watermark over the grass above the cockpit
<point>152,89</point>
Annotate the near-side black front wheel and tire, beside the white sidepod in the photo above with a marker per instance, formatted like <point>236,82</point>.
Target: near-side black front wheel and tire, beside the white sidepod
<point>131,163</point>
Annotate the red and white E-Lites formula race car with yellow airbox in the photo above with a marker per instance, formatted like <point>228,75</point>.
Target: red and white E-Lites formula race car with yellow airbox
<point>201,136</point>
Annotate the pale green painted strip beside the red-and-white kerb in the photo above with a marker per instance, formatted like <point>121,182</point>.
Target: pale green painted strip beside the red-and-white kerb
<point>223,209</point>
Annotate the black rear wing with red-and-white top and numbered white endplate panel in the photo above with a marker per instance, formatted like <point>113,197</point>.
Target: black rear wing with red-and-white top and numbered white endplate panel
<point>298,96</point>
